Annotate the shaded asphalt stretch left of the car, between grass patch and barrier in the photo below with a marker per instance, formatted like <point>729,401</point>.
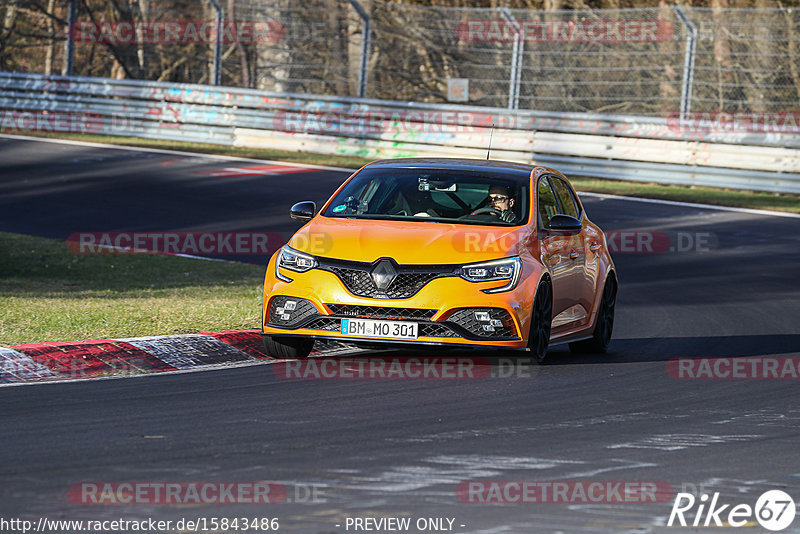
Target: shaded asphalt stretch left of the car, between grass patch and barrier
<point>54,190</point>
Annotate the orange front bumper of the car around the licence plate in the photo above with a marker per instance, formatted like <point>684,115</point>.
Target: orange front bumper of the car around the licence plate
<point>448,310</point>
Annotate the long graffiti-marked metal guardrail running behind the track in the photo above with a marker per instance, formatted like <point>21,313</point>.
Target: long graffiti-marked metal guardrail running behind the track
<point>610,146</point>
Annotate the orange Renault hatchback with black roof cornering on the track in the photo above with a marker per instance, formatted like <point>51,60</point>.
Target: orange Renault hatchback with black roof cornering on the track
<point>443,252</point>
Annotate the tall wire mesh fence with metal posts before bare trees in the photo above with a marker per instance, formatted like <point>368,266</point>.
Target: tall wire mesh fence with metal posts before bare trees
<point>648,62</point>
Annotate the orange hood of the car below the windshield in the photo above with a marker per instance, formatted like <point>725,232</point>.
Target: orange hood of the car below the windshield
<point>408,242</point>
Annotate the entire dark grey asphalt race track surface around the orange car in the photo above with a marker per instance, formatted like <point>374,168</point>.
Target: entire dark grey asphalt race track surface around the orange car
<point>400,448</point>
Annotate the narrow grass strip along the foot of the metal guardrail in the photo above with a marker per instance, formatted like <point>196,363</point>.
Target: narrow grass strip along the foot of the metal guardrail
<point>702,195</point>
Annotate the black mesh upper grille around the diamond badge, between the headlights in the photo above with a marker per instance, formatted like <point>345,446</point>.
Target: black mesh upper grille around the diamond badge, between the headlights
<point>409,279</point>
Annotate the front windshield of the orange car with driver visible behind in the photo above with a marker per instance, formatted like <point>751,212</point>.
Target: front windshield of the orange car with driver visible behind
<point>434,195</point>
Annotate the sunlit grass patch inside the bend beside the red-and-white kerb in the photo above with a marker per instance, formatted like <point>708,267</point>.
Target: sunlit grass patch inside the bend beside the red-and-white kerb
<point>50,294</point>
